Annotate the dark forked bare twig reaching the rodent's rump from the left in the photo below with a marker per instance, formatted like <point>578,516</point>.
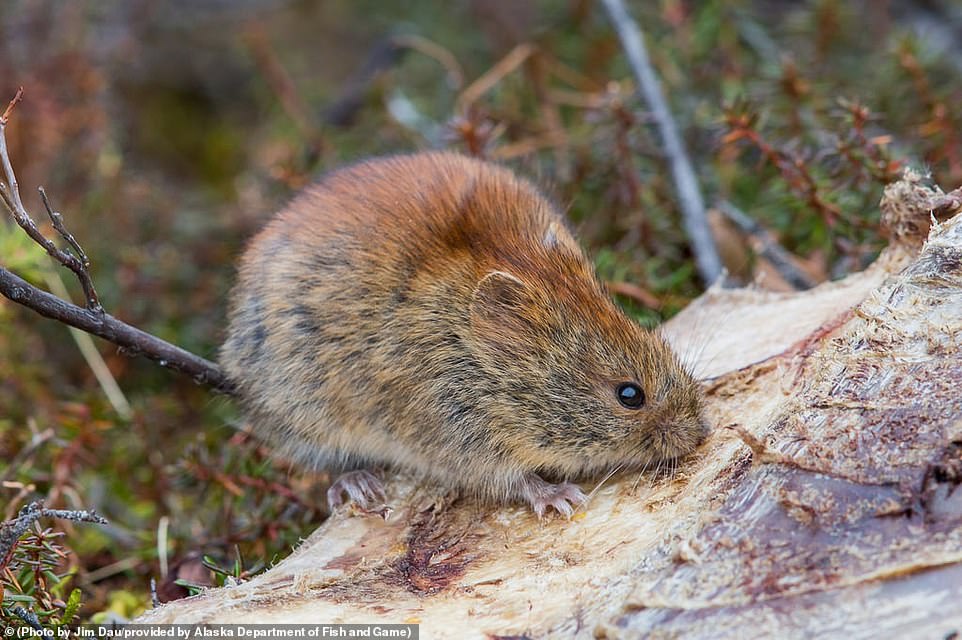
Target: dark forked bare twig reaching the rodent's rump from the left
<point>92,319</point>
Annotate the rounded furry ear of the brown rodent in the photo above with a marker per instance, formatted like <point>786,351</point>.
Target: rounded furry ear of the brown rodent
<point>502,311</point>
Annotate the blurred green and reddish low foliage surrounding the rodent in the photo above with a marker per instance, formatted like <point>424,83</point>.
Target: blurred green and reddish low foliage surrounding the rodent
<point>168,132</point>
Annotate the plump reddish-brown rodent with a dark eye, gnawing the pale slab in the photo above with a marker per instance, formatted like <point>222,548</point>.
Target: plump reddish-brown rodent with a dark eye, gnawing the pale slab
<point>432,312</point>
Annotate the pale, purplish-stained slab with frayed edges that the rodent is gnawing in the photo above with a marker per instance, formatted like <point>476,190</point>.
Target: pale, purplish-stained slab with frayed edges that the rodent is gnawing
<point>825,503</point>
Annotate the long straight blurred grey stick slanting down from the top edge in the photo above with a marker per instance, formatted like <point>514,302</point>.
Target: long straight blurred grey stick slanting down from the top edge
<point>689,194</point>
